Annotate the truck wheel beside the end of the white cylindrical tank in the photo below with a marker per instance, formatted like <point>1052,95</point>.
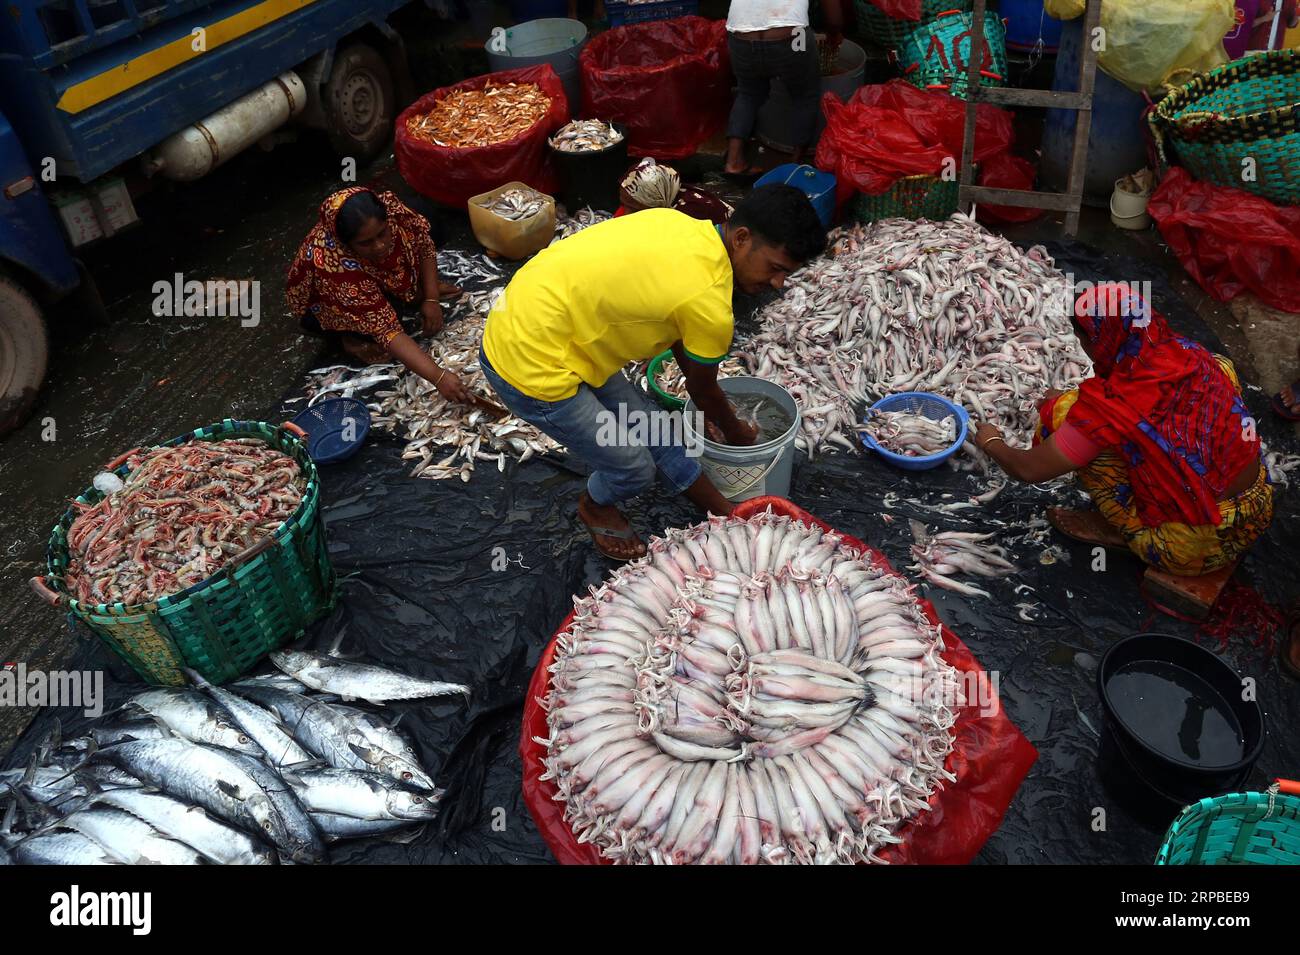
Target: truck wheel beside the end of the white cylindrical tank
<point>361,103</point>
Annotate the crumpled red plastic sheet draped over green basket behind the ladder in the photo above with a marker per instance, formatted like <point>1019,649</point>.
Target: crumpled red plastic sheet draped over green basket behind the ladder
<point>891,131</point>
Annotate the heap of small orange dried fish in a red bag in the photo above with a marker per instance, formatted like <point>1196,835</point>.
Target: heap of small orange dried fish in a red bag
<point>482,118</point>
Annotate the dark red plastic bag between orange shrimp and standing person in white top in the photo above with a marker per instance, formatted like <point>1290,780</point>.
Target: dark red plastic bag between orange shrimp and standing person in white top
<point>668,83</point>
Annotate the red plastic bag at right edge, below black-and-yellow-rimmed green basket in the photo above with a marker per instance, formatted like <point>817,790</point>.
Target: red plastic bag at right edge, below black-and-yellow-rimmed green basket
<point>1230,241</point>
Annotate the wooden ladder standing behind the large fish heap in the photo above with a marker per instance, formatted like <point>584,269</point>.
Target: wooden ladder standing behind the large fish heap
<point>1072,199</point>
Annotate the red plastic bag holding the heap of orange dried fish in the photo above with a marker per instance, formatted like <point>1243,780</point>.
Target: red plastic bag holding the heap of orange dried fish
<point>453,175</point>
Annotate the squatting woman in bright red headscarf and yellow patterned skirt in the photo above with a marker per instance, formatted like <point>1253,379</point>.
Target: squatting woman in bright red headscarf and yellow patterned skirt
<point>1160,439</point>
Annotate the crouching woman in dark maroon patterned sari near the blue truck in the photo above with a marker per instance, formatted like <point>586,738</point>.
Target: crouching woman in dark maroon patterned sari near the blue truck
<point>367,255</point>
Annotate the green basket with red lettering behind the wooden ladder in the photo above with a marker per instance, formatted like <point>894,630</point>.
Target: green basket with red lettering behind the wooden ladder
<point>935,54</point>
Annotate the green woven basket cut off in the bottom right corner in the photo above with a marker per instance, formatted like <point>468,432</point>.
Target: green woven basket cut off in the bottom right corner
<point>1237,830</point>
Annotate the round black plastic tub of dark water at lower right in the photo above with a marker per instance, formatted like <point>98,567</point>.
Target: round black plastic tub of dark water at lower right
<point>1177,715</point>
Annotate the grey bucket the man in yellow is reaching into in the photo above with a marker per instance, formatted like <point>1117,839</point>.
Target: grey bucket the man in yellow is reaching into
<point>753,472</point>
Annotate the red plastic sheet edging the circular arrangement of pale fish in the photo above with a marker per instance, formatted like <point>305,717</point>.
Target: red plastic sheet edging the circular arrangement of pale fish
<point>990,758</point>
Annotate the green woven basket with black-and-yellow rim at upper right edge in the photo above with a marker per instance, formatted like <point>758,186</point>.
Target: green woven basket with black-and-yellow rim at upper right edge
<point>1247,110</point>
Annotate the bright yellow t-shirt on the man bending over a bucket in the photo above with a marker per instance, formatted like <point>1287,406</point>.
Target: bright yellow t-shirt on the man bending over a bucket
<point>618,292</point>
